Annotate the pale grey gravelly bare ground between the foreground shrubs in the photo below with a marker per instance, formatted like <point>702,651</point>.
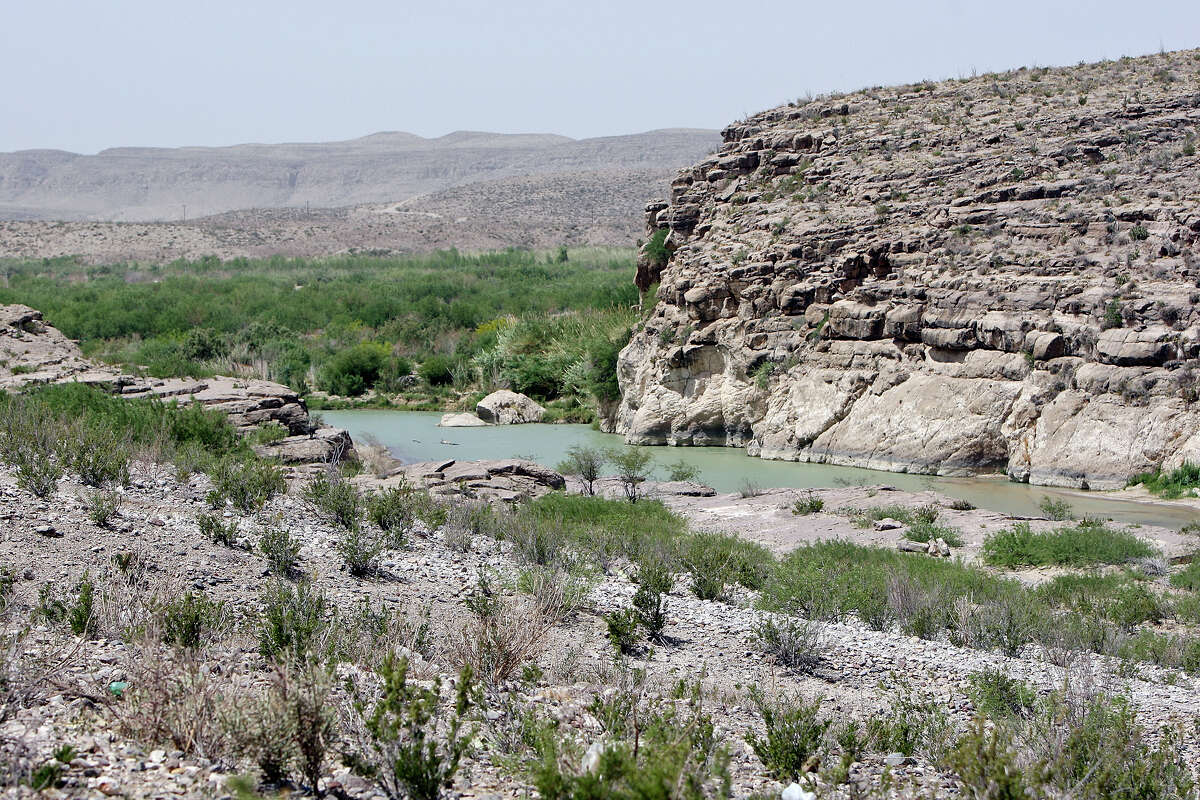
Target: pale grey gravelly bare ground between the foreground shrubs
<point>860,673</point>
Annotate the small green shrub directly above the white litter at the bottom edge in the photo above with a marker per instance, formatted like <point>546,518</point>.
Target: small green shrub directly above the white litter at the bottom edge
<point>793,735</point>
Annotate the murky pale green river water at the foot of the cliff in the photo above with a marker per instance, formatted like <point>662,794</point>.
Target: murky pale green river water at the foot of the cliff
<point>415,436</point>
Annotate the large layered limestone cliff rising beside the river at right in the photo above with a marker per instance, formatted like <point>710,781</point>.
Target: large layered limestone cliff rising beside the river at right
<point>987,275</point>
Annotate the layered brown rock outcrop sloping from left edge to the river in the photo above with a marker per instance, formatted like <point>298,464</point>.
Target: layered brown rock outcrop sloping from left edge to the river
<point>33,352</point>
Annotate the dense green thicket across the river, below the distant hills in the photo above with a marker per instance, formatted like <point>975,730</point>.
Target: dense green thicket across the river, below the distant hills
<point>352,324</point>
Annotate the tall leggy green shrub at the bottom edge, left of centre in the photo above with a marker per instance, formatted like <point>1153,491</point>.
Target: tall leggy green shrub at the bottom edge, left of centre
<point>409,739</point>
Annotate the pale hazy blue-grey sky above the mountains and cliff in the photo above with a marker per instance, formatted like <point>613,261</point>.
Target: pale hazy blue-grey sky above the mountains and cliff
<point>87,75</point>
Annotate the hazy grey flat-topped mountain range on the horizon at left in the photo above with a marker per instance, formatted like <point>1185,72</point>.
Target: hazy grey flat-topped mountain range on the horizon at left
<point>164,185</point>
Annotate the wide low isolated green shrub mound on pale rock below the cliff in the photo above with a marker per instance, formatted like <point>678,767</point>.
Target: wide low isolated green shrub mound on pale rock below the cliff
<point>1083,545</point>
